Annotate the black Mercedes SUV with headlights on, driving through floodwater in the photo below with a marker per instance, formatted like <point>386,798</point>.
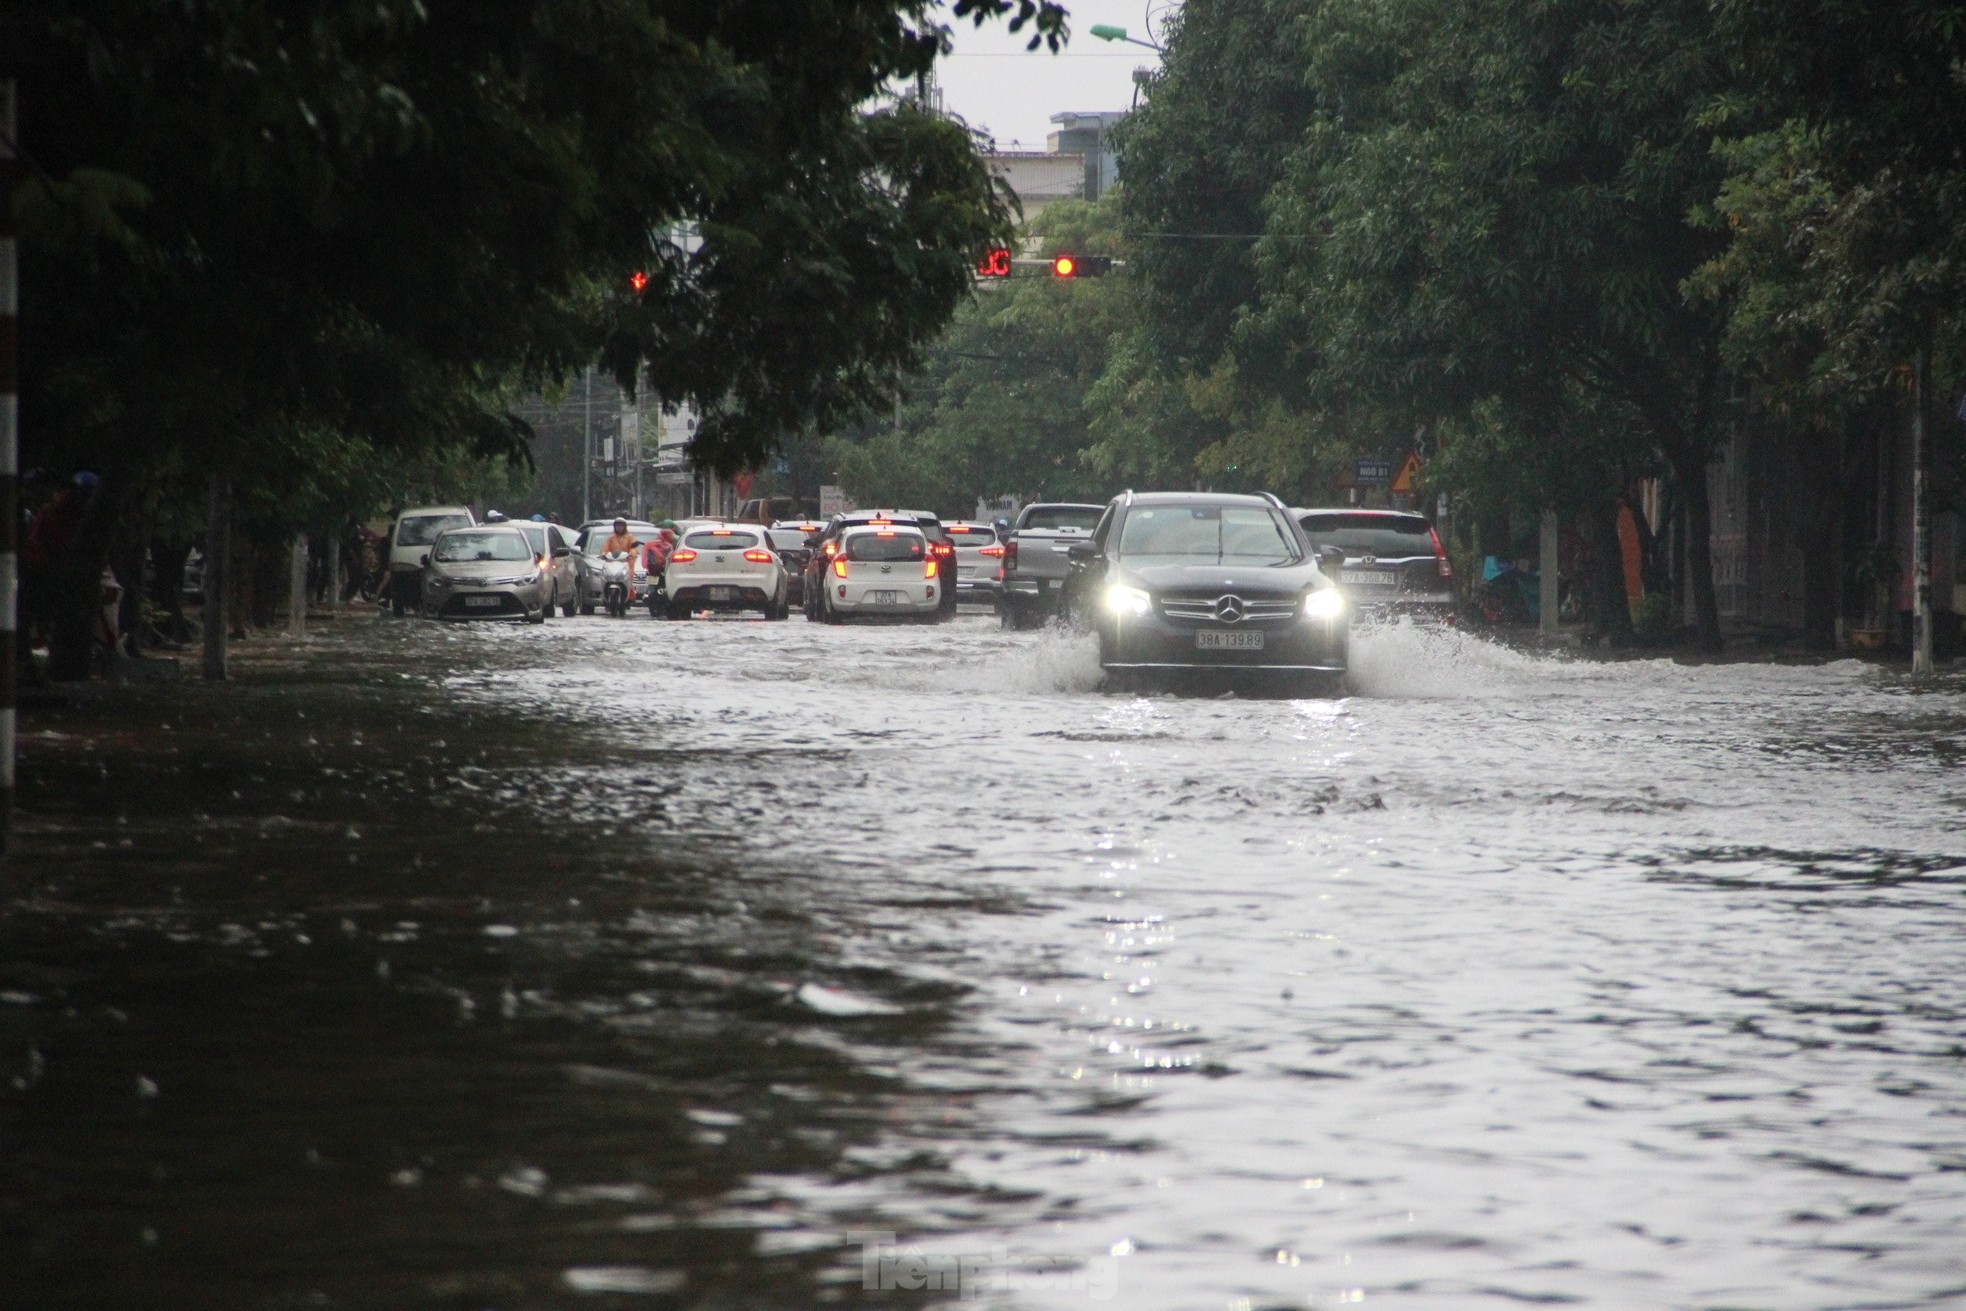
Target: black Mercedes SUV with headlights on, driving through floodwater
<point>1210,589</point>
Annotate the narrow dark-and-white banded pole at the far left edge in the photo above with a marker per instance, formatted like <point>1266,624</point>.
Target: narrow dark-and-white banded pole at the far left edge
<point>9,463</point>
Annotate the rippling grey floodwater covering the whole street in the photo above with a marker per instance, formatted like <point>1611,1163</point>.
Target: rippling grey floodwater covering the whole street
<point>628,964</point>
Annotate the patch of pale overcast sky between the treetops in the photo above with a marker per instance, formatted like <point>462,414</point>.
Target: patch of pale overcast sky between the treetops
<point>994,84</point>
